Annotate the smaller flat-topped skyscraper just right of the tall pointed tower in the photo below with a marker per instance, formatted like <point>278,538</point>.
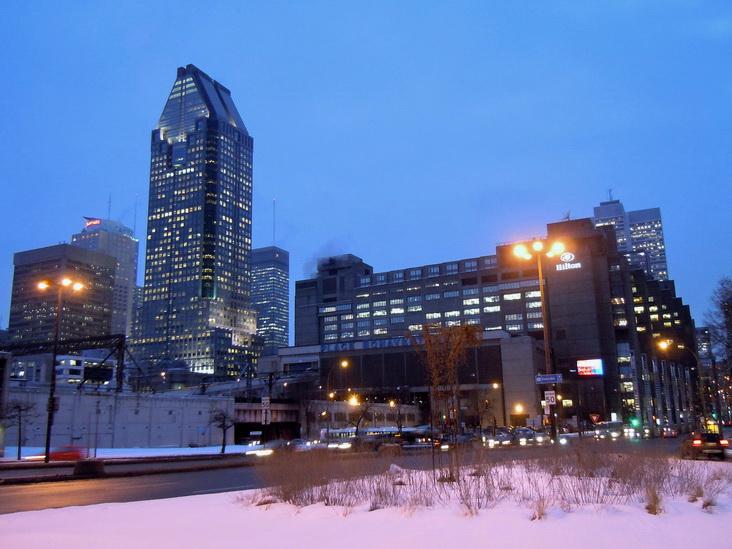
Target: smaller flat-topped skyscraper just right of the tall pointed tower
<point>271,296</point>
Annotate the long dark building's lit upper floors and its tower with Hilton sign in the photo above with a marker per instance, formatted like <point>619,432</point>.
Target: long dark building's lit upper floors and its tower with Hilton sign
<point>589,299</point>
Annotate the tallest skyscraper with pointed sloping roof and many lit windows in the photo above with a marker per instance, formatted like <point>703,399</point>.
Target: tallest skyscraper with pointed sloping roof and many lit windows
<point>196,303</point>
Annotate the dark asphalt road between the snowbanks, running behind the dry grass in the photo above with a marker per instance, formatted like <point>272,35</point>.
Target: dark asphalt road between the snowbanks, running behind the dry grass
<point>113,490</point>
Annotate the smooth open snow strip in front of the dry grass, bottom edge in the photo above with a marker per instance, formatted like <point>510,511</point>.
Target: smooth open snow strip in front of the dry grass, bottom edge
<point>223,521</point>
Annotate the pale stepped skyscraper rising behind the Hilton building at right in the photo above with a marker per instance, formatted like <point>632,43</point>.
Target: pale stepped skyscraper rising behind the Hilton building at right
<point>639,234</point>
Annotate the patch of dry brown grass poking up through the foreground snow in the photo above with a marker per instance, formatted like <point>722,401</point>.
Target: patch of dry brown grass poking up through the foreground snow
<point>589,474</point>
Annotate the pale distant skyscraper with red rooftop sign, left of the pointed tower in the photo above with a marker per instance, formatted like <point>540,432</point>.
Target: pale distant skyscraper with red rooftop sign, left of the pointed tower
<point>113,238</point>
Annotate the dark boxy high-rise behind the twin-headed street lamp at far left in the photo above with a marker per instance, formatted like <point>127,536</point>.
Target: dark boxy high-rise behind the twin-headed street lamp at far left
<point>87,313</point>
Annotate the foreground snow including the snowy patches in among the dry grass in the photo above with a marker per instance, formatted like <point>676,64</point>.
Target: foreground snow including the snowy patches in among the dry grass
<point>507,519</point>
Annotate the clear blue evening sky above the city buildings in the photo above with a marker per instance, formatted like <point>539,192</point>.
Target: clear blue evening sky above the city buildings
<point>404,132</point>
